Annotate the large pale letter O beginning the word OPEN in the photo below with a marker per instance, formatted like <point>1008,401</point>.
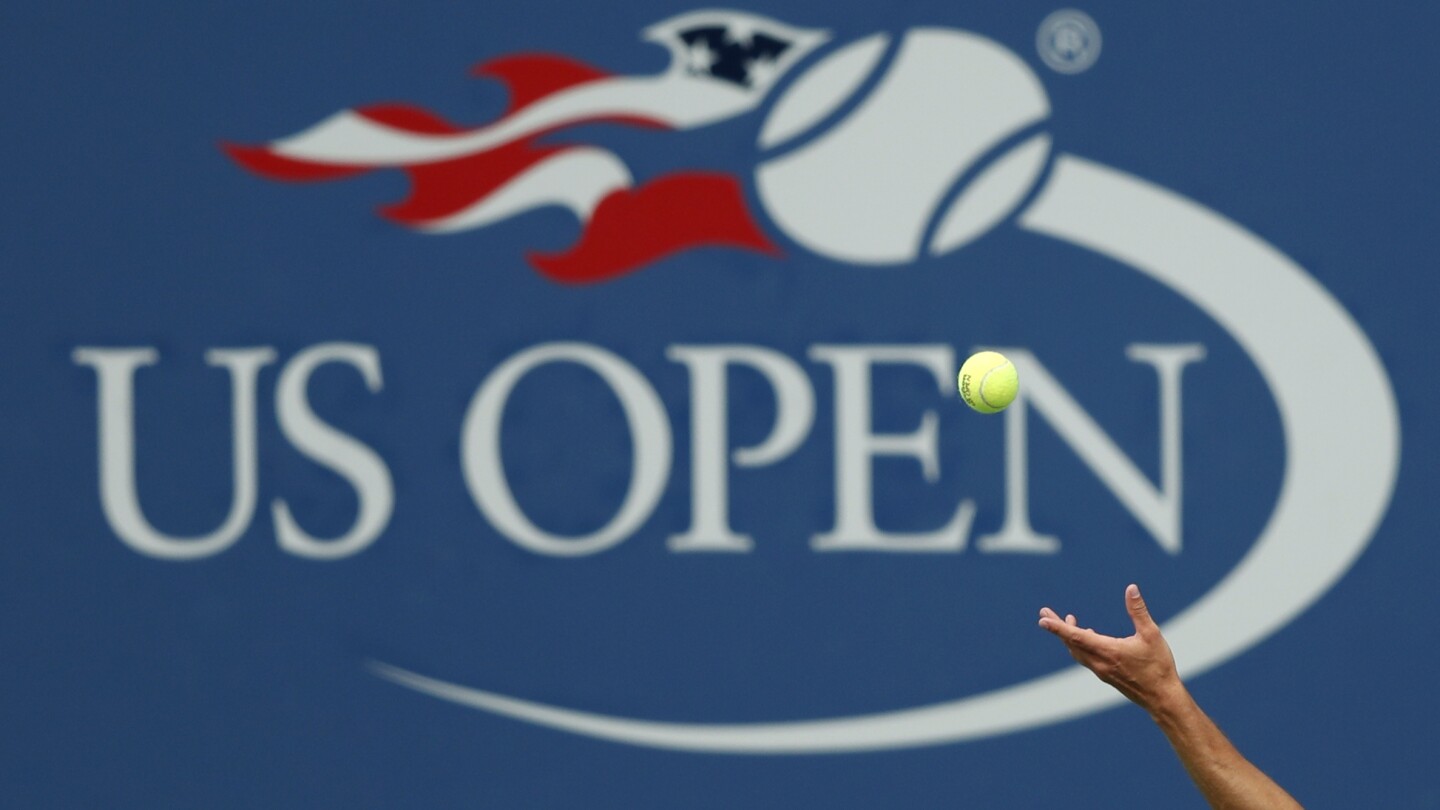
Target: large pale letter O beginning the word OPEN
<point>650,449</point>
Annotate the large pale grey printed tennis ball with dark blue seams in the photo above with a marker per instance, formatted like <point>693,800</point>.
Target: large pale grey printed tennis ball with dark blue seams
<point>904,175</point>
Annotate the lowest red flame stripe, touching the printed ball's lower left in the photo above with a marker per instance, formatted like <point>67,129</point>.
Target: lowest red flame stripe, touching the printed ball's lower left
<point>673,214</point>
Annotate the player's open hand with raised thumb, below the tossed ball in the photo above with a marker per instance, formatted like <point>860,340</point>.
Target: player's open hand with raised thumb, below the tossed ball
<point>1140,667</point>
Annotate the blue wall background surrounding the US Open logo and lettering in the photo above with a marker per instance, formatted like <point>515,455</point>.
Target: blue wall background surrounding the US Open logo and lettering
<point>241,680</point>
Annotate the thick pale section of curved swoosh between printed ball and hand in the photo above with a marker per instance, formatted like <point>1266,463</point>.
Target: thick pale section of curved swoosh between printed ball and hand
<point>1343,443</point>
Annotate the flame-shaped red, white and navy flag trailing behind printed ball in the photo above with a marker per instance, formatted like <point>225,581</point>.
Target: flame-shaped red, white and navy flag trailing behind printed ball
<point>724,64</point>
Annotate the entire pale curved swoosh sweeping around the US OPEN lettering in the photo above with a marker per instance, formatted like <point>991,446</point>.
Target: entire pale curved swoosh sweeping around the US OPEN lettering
<point>1343,455</point>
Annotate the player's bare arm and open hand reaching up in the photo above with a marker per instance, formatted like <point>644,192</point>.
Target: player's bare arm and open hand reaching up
<point>1143,668</point>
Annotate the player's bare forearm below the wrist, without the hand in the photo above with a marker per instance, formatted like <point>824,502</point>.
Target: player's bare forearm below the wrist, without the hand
<point>1225,778</point>
